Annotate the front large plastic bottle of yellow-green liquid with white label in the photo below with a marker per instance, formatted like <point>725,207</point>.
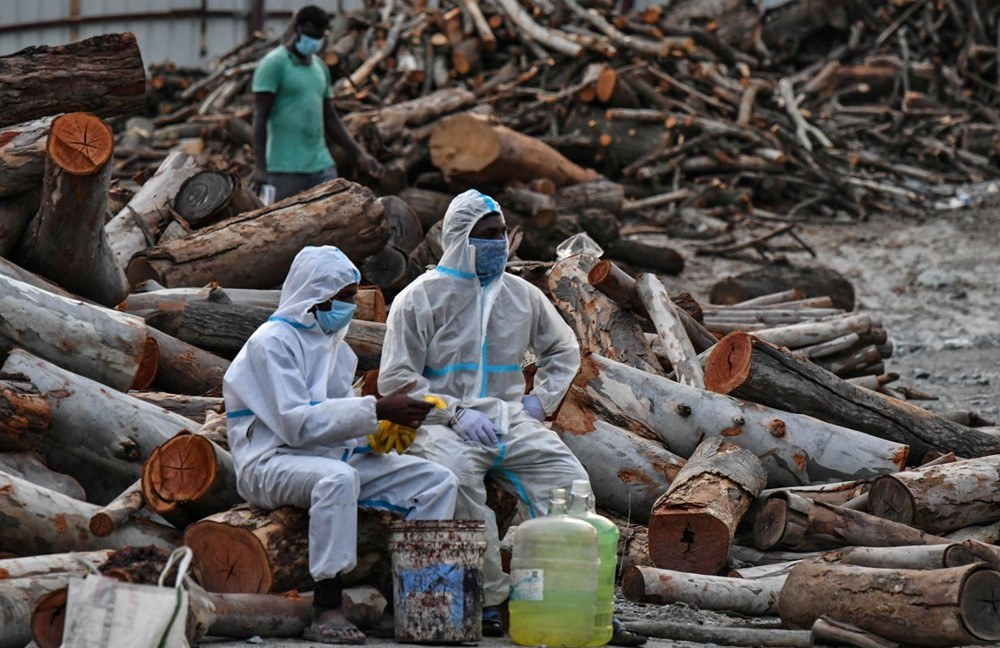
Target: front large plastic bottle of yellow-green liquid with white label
<point>554,576</point>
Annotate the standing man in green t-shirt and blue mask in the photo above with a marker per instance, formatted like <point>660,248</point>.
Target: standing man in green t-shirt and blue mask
<point>294,118</point>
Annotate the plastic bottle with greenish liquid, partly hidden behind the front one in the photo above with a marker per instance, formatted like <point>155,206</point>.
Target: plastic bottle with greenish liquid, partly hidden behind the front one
<point>582,506</point>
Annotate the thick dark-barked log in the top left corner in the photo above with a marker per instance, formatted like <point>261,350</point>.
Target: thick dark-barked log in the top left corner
<point>103,75</point>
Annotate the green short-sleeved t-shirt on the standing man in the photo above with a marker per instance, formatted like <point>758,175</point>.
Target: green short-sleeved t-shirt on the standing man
<point>295,142</point>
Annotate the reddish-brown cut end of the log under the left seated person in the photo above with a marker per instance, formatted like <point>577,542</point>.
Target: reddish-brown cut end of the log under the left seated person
<point>228,559</point>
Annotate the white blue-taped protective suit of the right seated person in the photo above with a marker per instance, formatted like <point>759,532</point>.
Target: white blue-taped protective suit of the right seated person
<point>465,343</point>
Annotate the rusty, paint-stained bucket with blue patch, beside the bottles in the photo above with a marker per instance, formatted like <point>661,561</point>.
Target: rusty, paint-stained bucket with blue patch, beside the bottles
<point>437,580</point>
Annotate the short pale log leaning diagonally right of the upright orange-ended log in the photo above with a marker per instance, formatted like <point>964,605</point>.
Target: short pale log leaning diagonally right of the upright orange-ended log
<point>139,223</point>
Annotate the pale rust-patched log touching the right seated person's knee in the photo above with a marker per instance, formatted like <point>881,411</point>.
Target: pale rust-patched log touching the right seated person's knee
<point>627,472</point>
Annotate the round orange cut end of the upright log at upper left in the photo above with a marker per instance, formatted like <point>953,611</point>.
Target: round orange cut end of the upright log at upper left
<point>80,143</point>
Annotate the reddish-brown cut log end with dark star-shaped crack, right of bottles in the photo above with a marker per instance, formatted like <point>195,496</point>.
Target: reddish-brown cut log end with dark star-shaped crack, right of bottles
<point>699,543</point>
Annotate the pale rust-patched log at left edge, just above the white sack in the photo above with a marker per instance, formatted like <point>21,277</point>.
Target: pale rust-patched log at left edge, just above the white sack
<point>41,521</point>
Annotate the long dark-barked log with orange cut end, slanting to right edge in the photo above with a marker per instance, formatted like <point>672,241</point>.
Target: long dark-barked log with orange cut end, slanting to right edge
<point>748,368</point>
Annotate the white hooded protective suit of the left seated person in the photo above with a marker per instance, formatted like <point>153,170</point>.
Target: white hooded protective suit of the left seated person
<point>299,435</point>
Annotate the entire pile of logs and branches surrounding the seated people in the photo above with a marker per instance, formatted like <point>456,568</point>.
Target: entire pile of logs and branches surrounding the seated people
<point>754,436</point>
